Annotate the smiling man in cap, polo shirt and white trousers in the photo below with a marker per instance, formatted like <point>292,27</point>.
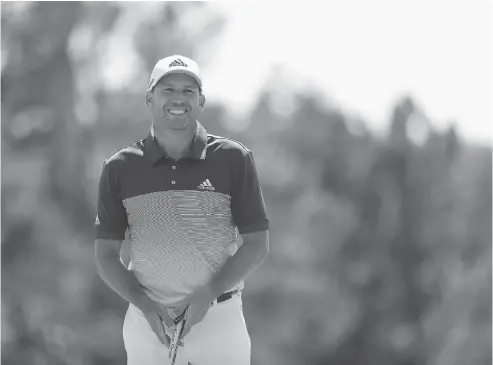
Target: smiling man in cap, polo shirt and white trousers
<point>182,194</point>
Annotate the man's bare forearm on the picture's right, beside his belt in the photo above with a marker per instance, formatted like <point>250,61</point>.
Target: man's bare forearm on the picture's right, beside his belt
<point>248,257</point>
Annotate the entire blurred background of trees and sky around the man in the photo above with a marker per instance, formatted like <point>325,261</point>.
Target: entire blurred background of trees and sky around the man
<point>370,123</point>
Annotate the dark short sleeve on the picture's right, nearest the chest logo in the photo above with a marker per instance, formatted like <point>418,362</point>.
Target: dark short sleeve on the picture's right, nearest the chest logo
<point>247,202</point>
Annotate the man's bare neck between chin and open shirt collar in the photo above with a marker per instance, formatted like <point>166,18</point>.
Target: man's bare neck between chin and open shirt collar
<point>175,143</point>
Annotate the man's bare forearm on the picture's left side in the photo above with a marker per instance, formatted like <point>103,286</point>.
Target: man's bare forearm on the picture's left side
<point>122,281</point>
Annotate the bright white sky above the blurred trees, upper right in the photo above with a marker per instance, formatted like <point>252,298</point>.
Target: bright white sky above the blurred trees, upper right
<point>362,55</point>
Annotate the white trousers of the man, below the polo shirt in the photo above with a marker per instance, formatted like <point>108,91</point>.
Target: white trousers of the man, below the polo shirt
<point>221,338</point>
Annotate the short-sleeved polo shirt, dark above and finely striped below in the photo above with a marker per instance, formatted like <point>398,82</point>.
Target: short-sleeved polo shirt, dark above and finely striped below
<point>182,216</point>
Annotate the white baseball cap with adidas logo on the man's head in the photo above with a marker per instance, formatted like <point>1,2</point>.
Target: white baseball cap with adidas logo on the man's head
<point>172,65</point>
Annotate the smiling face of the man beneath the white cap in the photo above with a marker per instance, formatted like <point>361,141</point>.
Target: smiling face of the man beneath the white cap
<point>175,102</point>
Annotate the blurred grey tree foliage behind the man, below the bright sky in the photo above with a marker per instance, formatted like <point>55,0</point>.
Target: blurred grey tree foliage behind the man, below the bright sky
<point>380,247</point>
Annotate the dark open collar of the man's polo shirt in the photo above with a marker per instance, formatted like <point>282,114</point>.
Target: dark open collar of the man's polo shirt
<point>197,151</point>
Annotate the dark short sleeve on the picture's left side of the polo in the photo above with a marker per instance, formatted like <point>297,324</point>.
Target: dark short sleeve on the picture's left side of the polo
<point>111,219</point>
